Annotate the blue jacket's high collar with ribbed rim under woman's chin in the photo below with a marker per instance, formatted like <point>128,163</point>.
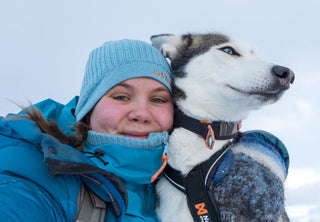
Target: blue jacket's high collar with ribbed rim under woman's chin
<point>133,160</point>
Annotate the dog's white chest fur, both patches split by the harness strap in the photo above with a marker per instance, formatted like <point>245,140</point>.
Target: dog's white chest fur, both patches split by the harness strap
<point>186,150</point>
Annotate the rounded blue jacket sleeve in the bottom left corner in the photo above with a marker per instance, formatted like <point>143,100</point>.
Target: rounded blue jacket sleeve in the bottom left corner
<point>23,200</point>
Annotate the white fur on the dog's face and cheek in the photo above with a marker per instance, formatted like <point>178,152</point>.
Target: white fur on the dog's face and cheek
<point>212,81</point>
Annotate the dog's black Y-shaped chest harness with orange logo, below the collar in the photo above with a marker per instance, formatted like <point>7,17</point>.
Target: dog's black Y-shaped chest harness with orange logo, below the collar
<point>197,187</point>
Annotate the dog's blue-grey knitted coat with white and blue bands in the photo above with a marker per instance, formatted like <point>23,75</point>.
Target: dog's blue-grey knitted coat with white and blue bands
<point>252,189</point>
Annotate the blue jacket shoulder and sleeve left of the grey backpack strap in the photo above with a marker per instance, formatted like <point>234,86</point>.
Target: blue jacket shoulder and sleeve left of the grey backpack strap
<point>25,178</point>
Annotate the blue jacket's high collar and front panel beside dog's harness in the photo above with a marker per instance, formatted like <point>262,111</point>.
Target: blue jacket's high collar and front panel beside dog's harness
<point>135,165</point>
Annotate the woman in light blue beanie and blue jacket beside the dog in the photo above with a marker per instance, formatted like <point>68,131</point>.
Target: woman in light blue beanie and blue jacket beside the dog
<point>104,173</point>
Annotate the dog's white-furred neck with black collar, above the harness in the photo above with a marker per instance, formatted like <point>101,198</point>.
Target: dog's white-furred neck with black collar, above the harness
<point>193,141</point>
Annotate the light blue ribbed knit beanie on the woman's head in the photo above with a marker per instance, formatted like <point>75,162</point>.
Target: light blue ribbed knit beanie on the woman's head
<point>117,61</point>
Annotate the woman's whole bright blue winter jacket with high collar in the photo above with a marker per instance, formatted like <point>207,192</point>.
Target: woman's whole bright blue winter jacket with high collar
<point>40,178</point>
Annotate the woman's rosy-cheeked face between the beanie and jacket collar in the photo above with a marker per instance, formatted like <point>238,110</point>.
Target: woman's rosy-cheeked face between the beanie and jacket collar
<point>134,108</point>
